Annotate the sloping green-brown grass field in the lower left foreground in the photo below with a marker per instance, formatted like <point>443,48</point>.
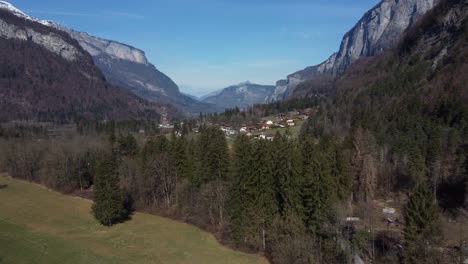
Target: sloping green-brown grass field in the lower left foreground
<point>41,226</point>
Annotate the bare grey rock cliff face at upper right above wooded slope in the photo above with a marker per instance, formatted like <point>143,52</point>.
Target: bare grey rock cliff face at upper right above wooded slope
<point>379,29</point>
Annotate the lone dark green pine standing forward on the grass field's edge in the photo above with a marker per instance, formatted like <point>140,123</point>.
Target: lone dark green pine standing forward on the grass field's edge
<point>108,207</point>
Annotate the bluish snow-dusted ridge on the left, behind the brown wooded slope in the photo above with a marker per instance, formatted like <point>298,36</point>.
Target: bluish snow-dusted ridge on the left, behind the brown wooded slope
<point>127,67</point>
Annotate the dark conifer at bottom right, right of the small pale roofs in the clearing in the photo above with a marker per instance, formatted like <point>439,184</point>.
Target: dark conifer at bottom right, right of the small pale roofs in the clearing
<point>421,228</point>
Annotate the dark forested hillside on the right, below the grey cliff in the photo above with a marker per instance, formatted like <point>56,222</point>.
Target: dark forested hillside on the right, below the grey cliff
<point>413,102</point>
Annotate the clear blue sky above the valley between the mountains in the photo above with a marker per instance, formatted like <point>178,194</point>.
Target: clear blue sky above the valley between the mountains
<point>205,45</point>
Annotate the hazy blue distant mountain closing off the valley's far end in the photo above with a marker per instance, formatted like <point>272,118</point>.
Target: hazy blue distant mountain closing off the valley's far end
<point>240,95</point>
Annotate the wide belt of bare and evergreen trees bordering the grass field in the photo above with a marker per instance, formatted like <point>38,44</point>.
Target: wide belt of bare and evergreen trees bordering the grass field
<point>277,196</point>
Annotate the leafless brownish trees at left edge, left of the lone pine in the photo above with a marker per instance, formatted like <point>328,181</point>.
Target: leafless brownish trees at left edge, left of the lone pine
<point>65,164</point>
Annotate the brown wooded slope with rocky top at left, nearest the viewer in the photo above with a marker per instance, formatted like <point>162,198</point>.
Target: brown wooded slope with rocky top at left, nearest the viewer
<point>47,76</point>
